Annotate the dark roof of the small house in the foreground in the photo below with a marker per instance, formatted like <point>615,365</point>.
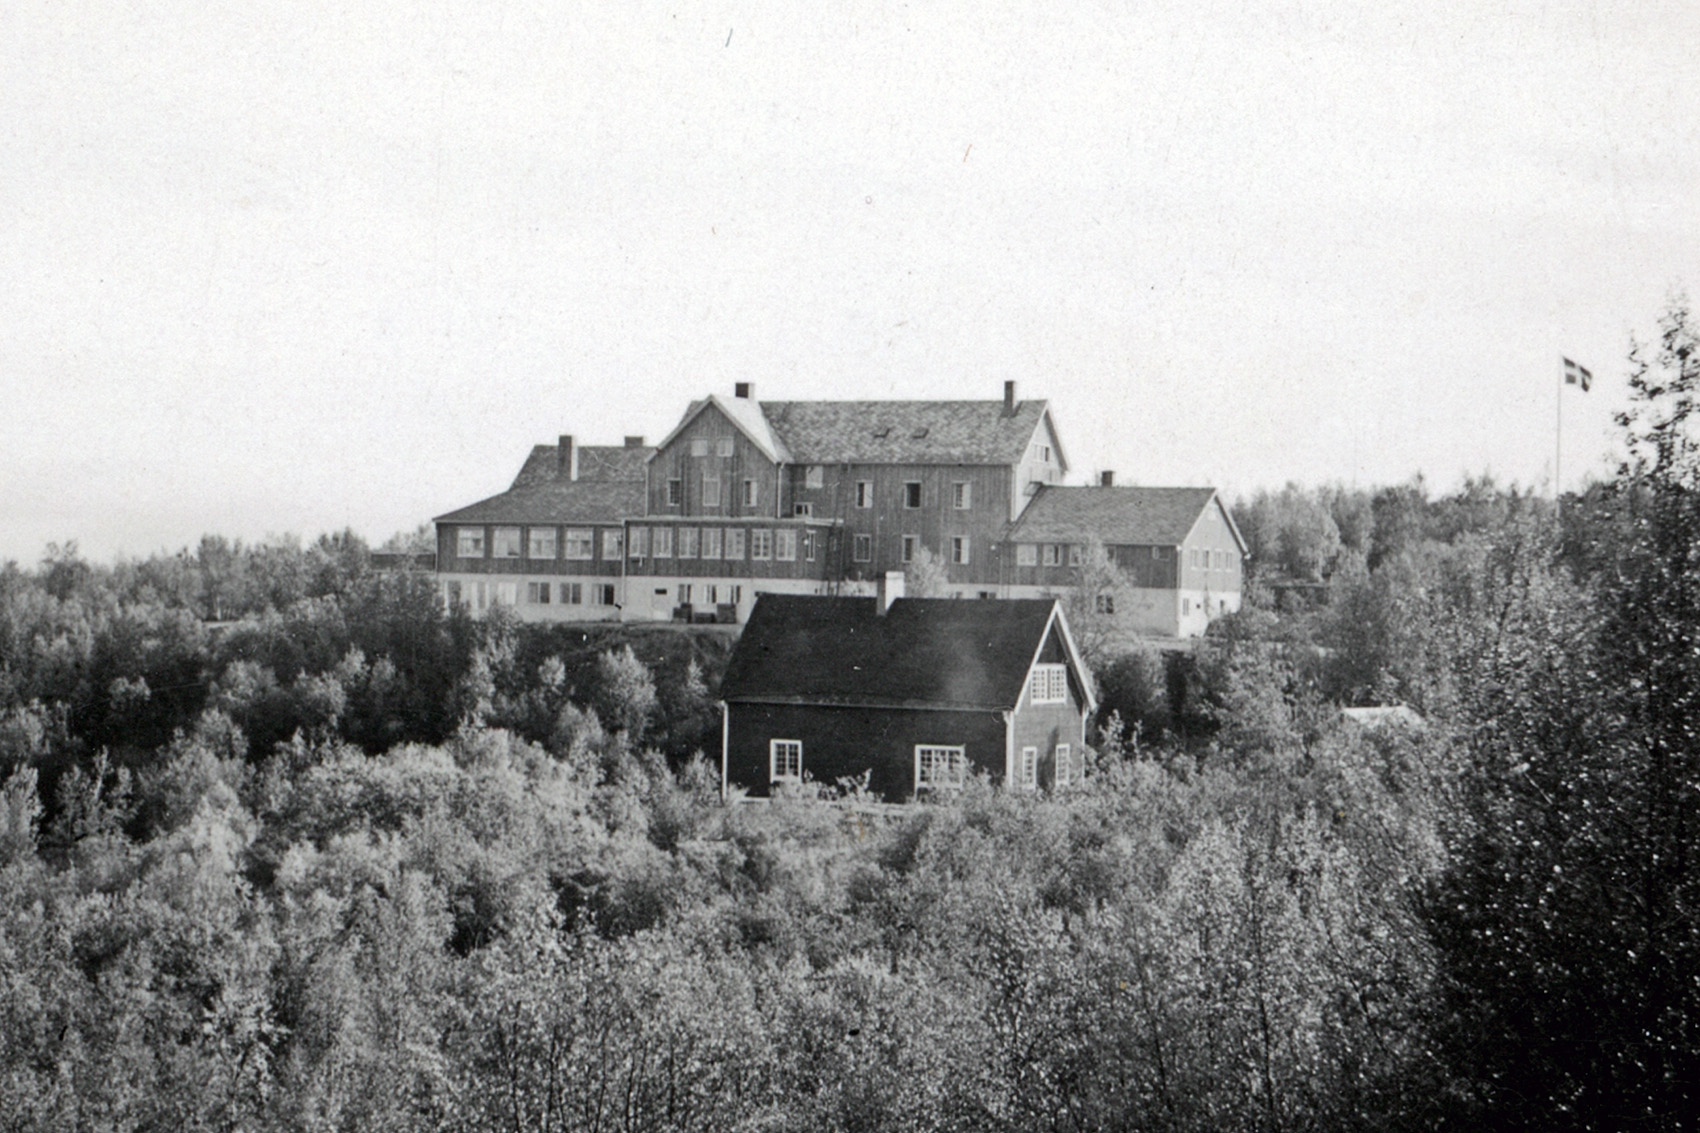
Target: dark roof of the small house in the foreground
<point>837,651</point>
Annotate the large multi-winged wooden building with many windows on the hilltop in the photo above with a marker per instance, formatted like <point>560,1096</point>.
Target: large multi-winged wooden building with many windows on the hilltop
<point>751,498</point>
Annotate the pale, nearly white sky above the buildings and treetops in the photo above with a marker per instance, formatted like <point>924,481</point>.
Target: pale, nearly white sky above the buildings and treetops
<point>293,266</point>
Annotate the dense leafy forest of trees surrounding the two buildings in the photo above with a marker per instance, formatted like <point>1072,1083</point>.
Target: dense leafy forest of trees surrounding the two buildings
<point>285,846</point>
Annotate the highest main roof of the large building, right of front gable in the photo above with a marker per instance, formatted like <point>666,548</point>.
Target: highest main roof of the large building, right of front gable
<point>904,433</point>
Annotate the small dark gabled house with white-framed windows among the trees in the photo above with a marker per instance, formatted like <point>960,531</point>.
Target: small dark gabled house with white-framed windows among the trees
<point>915,693</point>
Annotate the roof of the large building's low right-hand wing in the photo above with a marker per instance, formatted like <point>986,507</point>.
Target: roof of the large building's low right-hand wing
<point>1118,516</point>
